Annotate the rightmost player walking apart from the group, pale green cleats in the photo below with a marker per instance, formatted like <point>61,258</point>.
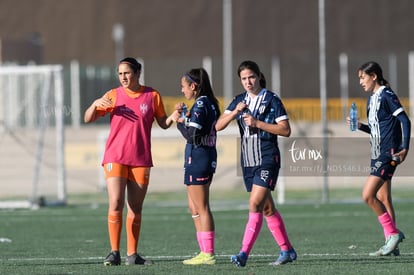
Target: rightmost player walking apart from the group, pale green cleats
<point>390,130</point>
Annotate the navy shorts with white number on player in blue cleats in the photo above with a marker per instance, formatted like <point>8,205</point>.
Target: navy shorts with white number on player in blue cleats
<point>265,175</point>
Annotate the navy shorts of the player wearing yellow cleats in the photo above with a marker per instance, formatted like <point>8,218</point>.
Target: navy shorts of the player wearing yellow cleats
<point>199,164</point>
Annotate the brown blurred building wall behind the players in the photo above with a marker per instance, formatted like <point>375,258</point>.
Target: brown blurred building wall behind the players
<point>173,36</point>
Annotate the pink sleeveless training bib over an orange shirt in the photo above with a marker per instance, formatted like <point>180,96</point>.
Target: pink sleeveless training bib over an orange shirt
<point>129,141</point>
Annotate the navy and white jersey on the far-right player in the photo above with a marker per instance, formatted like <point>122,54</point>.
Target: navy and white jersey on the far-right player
<point>386,137</point>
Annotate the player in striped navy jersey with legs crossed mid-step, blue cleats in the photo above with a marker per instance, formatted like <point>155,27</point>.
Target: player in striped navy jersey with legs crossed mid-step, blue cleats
<point>261,117</point>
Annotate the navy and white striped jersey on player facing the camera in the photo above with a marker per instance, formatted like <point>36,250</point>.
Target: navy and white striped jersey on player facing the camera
<point>259,147</point>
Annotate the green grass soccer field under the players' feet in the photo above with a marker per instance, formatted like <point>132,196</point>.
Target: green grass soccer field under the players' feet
<point>329,238</point>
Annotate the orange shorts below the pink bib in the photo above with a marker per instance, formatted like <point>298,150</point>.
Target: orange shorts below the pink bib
<point>135,174</point>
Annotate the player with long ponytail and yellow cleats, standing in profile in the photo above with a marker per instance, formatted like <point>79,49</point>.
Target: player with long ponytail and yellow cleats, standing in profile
<point>198,128</point>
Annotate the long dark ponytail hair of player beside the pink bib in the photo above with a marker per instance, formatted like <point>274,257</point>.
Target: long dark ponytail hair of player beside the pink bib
<point>200,78</point>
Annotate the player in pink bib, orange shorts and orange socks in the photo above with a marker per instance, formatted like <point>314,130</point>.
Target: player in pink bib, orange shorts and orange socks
<point>127,160</point>
